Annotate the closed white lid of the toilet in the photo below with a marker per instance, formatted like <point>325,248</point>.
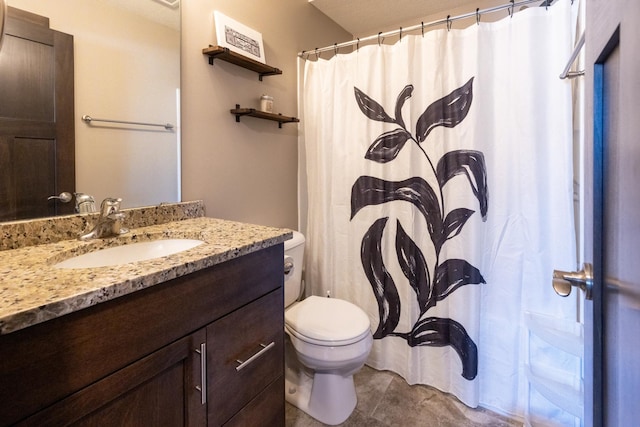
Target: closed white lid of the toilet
<point>327,319</point>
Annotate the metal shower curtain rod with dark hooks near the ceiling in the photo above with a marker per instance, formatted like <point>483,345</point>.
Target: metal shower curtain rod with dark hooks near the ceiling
<point>448,20</point>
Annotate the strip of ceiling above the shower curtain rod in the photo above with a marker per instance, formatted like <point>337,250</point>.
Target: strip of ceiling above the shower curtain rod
<point>366,17</point>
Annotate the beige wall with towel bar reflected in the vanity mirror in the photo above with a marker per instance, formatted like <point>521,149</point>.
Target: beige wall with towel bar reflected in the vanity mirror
<point>126,68</point>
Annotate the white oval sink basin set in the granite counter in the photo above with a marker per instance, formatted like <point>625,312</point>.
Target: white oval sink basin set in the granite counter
<point>126,254</point>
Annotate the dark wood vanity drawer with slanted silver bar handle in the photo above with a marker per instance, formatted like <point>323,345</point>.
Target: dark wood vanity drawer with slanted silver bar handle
<point>254,335</point>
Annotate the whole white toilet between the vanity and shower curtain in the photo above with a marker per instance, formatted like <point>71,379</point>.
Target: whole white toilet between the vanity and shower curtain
<point>328,340</point>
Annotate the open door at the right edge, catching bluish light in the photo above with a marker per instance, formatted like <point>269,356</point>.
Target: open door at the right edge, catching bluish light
<point>612,319</point>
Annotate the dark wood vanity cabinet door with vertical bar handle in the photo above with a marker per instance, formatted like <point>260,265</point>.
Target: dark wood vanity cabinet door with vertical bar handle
<point>160,389</point>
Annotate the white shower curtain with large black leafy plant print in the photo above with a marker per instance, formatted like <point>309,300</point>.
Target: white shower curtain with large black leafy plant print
<point>439,186</point>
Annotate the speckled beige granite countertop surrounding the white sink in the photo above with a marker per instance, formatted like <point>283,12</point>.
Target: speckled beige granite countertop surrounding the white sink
<point>32,290</point>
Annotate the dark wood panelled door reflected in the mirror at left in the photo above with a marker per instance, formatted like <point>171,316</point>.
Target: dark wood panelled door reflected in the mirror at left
<point>37,136</point>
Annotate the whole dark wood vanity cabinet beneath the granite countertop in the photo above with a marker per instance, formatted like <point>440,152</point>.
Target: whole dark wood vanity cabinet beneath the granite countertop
<point>137,360</point>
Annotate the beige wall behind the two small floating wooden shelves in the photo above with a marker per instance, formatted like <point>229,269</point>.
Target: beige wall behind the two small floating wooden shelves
<point>245,171</point>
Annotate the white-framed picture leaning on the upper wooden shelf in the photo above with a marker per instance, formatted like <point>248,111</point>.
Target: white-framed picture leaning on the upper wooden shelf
<point>238,38</point>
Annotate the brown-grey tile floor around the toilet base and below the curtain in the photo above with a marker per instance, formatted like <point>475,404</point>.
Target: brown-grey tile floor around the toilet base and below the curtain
<point>385,400</point>
